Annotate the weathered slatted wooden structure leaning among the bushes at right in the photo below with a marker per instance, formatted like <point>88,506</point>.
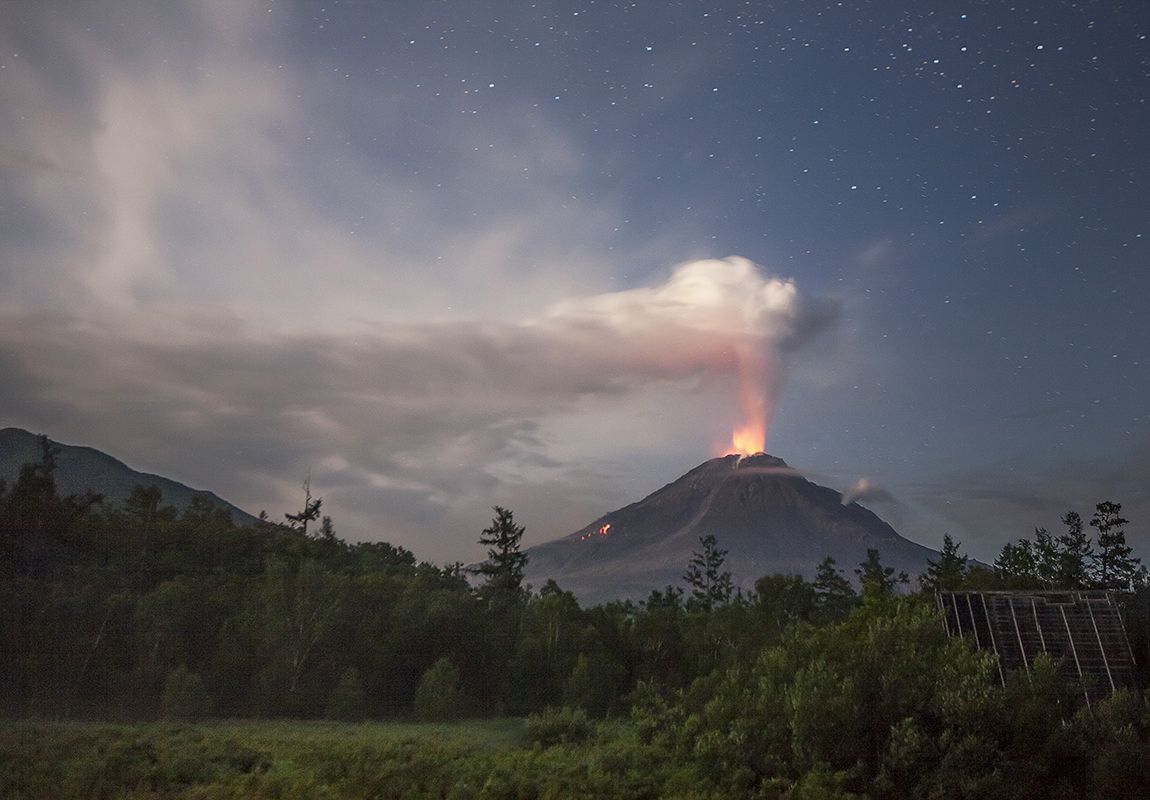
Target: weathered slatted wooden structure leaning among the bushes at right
<point>1082,630</point>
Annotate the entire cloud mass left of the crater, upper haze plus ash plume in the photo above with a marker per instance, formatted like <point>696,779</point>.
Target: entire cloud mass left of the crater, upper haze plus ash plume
<point>235,271</point>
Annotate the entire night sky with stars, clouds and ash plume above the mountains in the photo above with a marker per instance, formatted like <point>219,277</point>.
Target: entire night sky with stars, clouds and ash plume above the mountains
<point>443,256</point>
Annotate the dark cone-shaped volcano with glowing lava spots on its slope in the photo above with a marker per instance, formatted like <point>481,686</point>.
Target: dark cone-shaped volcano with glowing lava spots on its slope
<point>769,518</point>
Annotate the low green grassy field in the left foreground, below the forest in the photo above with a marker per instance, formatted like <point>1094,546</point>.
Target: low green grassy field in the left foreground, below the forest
<point>250,759</point>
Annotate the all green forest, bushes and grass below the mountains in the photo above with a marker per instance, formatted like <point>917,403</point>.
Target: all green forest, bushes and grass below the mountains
<point>167,627</point>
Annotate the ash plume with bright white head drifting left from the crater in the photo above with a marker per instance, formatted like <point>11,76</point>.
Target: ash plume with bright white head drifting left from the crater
<point>441,418</point>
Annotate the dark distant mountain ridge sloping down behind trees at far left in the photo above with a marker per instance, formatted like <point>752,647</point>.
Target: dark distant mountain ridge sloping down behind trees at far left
<point>82,470</point>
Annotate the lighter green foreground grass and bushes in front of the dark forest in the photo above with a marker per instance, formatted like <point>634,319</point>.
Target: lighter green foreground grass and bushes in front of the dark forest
<point>880,705</point>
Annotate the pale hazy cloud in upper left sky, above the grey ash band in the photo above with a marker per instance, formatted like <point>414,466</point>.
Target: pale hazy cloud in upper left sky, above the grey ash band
<point>183,159</point>
